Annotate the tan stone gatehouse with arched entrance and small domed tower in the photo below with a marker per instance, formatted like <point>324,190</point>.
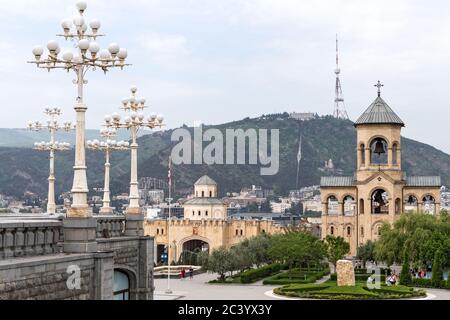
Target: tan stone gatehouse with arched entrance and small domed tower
<point>205,226</point>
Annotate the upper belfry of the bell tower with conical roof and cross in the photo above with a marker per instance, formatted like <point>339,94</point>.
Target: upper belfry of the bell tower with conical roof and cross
<point>379,140</point>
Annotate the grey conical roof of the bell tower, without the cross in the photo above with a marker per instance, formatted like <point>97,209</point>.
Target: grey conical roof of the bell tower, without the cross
<point>379,112</point>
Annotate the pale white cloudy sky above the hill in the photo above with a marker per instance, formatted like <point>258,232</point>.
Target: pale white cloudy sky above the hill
<point>222,60</point>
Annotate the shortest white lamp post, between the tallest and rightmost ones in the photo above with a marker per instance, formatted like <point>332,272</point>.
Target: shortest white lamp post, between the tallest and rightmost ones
<point>107,146</point>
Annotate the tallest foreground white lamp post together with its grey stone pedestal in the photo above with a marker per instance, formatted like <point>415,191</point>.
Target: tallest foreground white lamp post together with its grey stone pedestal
<point>80,227</point>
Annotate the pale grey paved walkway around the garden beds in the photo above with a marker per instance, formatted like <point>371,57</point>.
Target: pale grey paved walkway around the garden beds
<point>198,289</point>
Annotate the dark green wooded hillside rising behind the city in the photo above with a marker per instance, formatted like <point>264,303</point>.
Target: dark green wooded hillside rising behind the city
<point>323,138</point>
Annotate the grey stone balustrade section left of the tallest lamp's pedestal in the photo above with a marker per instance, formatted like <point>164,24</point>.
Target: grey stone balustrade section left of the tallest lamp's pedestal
<point>29,237</point>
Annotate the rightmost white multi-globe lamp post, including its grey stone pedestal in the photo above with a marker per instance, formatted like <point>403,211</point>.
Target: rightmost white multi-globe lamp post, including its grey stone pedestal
<point>133,122</point>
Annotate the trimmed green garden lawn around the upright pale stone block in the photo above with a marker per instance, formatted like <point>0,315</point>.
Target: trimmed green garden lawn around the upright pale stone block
<point>330,290</point>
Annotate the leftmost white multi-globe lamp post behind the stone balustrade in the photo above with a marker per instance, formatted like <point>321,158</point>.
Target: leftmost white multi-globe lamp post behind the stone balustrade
<point>51,146</point>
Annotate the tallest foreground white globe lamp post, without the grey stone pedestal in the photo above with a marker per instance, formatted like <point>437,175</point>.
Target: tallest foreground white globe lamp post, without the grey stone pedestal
<point>88,56</point>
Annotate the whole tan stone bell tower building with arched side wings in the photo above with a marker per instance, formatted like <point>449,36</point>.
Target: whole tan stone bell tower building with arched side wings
<point>354,207</point>
